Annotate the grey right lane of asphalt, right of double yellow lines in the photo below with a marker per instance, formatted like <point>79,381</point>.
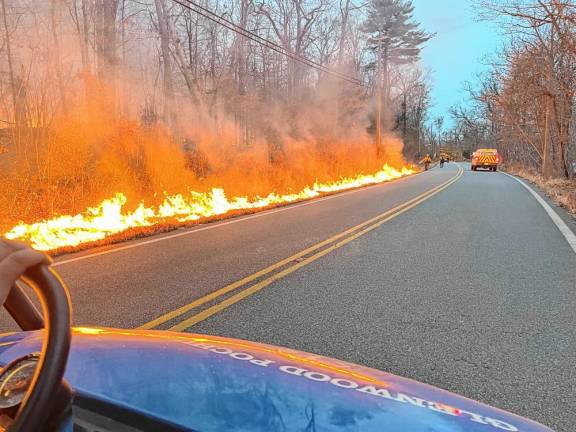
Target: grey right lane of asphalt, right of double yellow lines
<point>473,291</point>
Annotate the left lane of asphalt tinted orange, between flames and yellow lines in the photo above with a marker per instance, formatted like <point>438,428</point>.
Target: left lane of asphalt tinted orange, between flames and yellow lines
<point>128,287</point>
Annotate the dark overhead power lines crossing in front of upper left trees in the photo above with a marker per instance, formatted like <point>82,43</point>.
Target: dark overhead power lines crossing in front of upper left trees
<point>212,16</point>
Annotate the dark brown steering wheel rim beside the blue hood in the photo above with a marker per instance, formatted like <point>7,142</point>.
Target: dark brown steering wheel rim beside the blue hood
<point>45,392</point>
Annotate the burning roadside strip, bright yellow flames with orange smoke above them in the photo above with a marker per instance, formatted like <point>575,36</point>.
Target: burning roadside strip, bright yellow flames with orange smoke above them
<point>90,177</point>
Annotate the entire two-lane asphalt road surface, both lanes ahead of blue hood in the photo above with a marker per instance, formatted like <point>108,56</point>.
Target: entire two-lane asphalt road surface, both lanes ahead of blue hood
<point>472,290</point>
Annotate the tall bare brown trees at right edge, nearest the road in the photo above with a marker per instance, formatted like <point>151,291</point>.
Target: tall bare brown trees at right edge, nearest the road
<point>535,104</point>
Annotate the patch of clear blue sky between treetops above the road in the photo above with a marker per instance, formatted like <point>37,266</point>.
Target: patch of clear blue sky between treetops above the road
<point>456,53</point>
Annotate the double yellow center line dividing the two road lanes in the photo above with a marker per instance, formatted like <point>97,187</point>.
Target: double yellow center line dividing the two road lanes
<point>181,319</point>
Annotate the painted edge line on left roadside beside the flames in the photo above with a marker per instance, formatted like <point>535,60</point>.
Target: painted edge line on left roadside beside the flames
<point>214,225</point>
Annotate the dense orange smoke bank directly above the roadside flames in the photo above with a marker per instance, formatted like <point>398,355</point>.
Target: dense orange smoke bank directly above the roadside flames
<point>85,155</point>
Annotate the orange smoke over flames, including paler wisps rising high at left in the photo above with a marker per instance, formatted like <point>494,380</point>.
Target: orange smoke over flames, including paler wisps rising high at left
<point>84,139</point>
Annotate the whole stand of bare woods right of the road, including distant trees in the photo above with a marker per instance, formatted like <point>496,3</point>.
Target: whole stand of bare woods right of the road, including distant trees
<point>524,102</point>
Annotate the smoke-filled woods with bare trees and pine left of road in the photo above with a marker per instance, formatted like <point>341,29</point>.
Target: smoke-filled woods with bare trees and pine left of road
<point>161,98</point>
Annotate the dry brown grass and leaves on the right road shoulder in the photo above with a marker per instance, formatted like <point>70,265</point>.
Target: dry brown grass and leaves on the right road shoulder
<point>561,191</point>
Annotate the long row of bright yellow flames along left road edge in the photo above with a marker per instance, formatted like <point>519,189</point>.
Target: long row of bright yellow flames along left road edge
<point>110,217</point>
